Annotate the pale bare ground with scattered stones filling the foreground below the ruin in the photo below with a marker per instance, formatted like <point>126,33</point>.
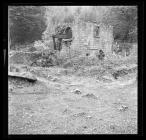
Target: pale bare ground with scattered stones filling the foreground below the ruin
<point>71,104</point>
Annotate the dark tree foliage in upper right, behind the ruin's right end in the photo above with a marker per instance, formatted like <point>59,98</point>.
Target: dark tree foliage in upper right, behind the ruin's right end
<point>124,20</point>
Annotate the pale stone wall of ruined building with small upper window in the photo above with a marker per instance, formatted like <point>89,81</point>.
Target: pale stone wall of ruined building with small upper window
<point>91,37</point>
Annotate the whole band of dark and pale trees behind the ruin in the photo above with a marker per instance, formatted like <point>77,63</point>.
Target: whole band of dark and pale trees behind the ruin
<point>31,23</point>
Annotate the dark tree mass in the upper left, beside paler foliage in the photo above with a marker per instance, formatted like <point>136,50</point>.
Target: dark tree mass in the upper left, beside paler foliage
<point>28,23</point>
